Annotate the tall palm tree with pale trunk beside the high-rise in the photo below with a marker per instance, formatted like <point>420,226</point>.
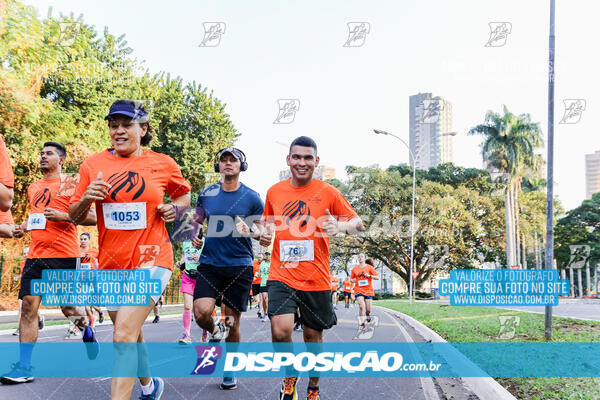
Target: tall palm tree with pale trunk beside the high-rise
<point>509,142</point>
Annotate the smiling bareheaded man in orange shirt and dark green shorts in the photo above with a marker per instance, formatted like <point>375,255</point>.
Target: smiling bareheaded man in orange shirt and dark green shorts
<point>302,209</point>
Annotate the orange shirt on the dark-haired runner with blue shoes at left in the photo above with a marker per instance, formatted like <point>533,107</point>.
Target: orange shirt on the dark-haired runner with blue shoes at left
<point>57,239</point>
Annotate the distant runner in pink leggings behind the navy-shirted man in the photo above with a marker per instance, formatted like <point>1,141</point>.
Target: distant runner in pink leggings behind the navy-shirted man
<point>190,260</point>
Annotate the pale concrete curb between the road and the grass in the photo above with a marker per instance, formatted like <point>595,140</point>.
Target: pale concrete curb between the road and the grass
<point>484,388</point>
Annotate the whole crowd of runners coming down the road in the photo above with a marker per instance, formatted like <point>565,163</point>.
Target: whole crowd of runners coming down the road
<point>289,279</point>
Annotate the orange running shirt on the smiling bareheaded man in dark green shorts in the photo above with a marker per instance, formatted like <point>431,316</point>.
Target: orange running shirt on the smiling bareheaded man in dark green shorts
<point>300,256</point>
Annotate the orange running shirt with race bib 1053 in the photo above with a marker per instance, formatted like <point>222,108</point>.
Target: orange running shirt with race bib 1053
<point>138,186</point>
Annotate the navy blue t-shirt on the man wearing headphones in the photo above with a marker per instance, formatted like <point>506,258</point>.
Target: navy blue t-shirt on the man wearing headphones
<point>223,246</point>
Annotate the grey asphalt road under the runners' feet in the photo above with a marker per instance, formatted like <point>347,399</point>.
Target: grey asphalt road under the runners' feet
<point>170,328</point>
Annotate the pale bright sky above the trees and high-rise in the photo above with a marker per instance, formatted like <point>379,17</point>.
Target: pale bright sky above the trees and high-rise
<point>272,50</point>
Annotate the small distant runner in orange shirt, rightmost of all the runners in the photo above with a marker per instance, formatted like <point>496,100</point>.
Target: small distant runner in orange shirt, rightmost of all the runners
<point>363,275</point>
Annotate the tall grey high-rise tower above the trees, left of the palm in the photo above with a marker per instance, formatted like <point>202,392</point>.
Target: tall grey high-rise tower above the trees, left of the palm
<point>430,120</point>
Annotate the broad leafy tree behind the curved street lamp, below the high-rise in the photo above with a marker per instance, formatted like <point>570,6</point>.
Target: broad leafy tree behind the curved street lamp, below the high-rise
<point>457,227</point>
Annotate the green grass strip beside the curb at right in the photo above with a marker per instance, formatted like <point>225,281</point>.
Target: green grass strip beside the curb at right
<point>481,324</point>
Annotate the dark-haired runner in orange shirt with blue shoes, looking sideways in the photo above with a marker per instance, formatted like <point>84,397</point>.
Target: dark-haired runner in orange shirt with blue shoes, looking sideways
<point>53,246</point>
